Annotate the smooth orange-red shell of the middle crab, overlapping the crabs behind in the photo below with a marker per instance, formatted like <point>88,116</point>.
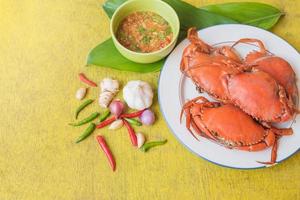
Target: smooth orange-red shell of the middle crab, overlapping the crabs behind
<point>259,95</point>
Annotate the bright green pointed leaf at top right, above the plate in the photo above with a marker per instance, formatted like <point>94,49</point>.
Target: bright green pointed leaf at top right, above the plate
<point>255,14</point>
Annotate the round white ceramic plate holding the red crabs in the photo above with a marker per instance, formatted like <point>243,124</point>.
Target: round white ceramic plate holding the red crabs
<point>174,89</point>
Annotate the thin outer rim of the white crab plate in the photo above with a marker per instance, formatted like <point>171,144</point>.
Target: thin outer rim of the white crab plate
<point>191,150</point>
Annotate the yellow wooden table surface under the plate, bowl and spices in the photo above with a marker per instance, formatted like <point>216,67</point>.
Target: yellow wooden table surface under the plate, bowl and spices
<point>43,46</point>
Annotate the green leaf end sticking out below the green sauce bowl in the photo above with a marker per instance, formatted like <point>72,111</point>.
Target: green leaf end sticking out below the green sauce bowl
<point>105,54</point>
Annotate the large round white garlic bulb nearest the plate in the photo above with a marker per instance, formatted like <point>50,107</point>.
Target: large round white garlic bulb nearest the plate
<point>138,94</point>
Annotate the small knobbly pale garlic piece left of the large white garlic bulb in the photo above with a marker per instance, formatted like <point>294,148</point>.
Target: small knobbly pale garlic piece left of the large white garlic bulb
<point>109,89</point>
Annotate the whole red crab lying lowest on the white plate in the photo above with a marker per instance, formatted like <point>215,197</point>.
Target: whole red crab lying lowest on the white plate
<point>230,126</point>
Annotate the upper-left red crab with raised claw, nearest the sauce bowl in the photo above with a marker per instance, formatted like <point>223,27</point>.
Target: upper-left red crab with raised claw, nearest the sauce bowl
<point>209,67</point>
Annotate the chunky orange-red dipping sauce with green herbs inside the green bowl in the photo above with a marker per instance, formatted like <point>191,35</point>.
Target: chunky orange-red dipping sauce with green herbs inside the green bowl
<point>144,32</point>
